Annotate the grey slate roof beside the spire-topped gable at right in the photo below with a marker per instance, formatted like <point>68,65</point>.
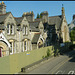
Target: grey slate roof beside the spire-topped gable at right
<point>55,20</point>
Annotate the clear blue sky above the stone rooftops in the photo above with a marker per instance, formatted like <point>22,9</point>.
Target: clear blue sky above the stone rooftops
<point>17,8</point>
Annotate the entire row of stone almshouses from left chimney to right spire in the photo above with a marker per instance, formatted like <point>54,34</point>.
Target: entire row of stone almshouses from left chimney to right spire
<point>19,34</point>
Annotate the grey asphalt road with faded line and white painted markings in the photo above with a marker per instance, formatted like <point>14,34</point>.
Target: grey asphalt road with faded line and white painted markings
<point>64,64</point>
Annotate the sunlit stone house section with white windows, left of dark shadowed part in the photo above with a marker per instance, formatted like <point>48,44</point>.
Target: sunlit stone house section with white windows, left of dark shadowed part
<point>19,34</point>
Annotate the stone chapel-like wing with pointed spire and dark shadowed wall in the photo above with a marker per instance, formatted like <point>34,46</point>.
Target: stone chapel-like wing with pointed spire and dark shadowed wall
<point>55,27</point>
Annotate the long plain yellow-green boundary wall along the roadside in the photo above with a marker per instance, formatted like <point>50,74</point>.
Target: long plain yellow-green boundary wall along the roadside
<point>13,63</point>
